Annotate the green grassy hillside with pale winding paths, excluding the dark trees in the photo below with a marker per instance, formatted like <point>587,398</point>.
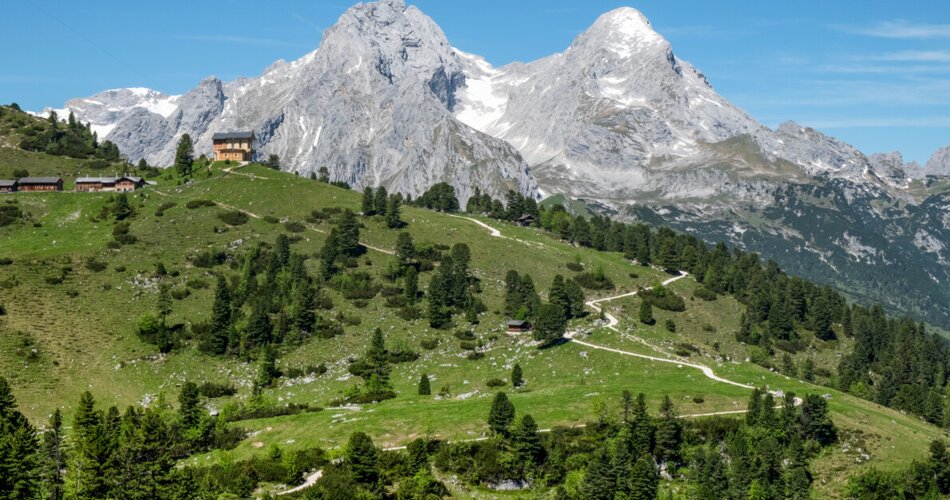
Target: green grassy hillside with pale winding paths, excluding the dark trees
<point>73,303</point>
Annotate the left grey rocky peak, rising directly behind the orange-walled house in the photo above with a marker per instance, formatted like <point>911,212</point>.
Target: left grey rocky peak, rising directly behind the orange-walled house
<point>373,104</point>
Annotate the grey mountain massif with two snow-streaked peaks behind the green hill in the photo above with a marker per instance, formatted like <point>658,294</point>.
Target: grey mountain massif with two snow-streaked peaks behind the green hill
<point>617,119</point>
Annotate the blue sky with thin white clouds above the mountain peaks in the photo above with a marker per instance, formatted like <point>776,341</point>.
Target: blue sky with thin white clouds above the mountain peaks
<point>875,74</point>
